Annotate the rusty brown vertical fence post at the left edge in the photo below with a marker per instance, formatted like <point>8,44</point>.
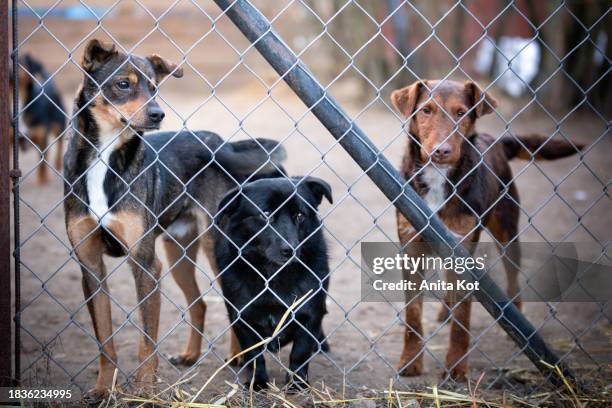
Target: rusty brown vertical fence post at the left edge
<point>6,376</point>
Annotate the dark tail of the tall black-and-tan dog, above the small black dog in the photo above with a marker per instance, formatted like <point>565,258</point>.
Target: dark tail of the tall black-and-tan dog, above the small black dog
<point>246,157</point>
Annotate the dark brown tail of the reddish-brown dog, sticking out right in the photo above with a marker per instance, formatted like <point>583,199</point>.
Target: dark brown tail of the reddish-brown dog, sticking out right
<point>538,147</point>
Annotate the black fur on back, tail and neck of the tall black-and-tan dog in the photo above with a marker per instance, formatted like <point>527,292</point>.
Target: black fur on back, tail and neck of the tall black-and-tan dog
<point>160,167</point>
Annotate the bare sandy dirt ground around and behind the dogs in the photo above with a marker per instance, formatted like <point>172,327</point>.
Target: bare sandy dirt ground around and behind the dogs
<point>562,200</point>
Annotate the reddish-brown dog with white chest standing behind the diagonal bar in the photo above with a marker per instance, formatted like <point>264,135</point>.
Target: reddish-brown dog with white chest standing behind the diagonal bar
<point>461,174</point>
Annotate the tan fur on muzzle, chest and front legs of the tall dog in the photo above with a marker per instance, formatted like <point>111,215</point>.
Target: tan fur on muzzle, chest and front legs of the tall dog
<point>129,228</point>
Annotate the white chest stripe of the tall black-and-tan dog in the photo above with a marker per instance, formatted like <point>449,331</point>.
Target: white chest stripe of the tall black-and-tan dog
<point>98,201</point>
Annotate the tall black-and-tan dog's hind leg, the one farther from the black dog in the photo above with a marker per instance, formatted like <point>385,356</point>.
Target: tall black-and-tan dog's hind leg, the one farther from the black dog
<point>182,258</point>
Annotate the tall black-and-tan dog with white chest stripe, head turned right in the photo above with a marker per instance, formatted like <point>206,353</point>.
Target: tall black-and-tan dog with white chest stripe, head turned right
<point>125,186</point>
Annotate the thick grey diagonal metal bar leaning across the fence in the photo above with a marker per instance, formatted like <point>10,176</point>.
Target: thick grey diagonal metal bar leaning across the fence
<point>258,30</point>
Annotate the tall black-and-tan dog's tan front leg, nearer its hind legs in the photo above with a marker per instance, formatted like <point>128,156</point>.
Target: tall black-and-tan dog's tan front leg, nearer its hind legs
<point>128,228</point>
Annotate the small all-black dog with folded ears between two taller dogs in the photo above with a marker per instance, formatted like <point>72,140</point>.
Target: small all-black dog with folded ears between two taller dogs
<point>272,253</point>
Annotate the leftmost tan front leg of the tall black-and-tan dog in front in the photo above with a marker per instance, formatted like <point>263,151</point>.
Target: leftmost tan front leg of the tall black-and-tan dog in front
<point>88,247</point>
